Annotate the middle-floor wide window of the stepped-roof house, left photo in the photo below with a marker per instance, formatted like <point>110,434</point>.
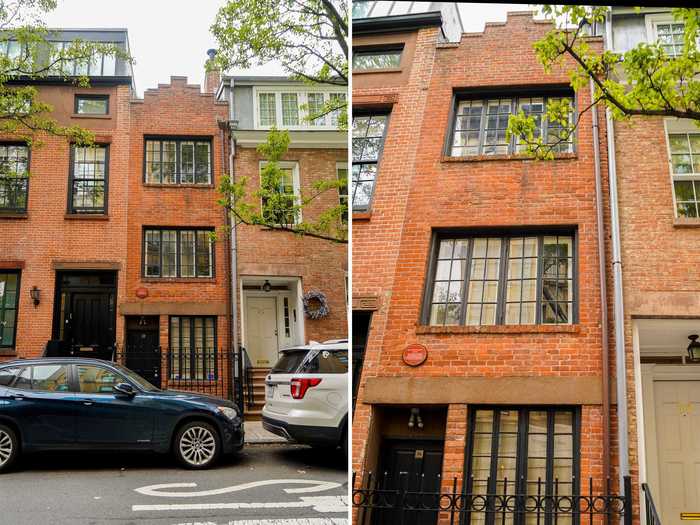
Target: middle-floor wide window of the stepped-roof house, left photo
<point>178,253</point>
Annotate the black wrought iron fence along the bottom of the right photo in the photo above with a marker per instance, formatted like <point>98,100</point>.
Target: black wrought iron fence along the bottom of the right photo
<point>388,500</point>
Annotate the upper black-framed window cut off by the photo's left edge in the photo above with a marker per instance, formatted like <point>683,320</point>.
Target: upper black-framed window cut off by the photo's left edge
<point>14,180</point>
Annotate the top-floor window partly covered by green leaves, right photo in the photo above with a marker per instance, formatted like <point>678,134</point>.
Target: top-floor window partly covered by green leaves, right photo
<point>480,126</point>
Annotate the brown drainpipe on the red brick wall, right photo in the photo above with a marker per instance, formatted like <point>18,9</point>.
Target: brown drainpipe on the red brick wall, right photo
<point>603,289</point>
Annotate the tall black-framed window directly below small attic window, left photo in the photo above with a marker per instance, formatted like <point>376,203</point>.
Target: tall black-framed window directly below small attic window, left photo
<point>88,180</point>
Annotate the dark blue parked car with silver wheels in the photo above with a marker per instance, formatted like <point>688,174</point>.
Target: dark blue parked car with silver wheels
<point>89,404</point>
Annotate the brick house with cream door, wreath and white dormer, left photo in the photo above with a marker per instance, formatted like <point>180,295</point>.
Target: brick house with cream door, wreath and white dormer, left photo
<point>276,269</point>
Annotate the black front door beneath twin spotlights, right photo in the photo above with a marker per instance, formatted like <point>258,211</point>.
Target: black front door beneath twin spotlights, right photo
<point>411,472</point>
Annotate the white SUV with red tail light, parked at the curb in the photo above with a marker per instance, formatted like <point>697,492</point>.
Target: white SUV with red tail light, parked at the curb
<point>306,395</point>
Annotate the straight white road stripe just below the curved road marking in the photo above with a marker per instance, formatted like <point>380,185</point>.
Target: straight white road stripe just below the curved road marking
<point>323,504</point>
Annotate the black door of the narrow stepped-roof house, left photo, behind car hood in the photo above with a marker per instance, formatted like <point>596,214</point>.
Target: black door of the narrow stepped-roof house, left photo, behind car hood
<point>143,349</point>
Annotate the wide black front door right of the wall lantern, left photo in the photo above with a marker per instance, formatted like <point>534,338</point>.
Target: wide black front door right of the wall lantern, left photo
<point>85,313</point>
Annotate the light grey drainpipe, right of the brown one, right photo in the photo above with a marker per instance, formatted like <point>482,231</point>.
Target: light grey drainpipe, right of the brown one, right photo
<point>618,305</point>
